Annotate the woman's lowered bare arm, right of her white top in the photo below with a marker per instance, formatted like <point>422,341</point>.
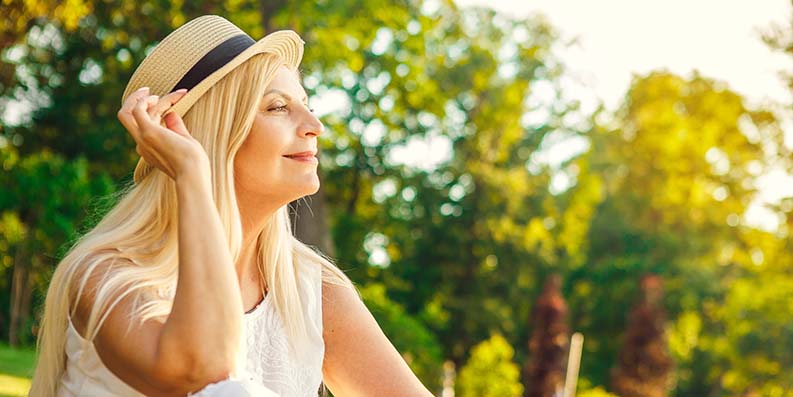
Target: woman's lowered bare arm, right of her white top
<point>359,358</point>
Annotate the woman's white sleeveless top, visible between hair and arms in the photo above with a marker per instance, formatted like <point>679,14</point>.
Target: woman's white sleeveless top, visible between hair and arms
<point>264,358</point>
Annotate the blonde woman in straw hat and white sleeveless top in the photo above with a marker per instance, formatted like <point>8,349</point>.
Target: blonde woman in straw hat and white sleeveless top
<point>193,283</point>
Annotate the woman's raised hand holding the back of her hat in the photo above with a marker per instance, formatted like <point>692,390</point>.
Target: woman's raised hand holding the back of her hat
<point>169,148</point>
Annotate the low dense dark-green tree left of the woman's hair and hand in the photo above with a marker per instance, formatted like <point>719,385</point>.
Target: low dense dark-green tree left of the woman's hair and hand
<point>43,199</point>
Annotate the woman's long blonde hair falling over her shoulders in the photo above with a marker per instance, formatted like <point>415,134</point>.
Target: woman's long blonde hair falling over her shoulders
<point>142,230</point>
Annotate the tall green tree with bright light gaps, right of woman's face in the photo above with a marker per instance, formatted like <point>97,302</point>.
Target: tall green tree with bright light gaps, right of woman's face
<point>465,235</point>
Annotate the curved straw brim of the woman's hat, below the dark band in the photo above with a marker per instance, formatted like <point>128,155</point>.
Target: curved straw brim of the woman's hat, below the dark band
<point>285,44</point>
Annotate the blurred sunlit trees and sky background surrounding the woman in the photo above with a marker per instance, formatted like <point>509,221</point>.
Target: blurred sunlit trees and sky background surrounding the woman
<point>496,177</point>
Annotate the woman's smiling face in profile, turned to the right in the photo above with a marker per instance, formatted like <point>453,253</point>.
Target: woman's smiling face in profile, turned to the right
<point>277,160</point>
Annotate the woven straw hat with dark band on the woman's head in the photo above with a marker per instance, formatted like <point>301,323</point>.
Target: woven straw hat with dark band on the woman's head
<point>197,55</point>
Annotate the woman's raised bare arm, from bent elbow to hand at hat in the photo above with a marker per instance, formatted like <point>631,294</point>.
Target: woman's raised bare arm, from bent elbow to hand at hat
<point>198,342</point>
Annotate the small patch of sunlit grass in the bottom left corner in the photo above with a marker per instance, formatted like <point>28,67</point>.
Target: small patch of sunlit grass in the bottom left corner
<point>16,369</point>
